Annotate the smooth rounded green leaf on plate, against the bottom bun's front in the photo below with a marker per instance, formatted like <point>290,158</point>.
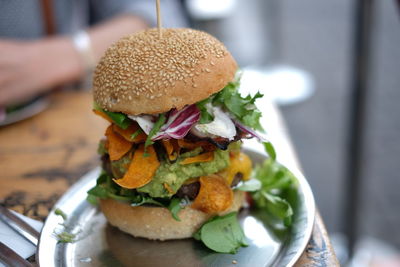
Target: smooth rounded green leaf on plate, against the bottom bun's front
<point>222,234</point>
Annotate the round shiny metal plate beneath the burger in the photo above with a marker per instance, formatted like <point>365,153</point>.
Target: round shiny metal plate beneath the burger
<point>102,245</point>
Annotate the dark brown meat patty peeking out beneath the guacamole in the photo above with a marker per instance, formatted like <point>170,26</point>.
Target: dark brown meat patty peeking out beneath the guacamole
<point>188,190</point>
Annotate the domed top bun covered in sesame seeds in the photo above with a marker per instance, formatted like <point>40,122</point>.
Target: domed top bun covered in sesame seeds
<point>144,73</point>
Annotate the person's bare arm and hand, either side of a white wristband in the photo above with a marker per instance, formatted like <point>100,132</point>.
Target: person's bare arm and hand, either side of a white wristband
<point>28,68</point>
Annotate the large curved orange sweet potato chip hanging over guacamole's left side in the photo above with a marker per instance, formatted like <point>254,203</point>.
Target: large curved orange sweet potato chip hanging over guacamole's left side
<point>141,169</point>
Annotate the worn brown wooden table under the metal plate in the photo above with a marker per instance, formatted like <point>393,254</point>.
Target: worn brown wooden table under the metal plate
<point>44,155</point>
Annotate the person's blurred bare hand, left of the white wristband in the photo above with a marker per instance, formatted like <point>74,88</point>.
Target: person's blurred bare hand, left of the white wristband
<point>28,68</point>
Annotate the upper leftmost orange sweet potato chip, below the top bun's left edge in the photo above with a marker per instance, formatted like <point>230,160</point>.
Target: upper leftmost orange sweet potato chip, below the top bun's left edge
<point>116,144</point>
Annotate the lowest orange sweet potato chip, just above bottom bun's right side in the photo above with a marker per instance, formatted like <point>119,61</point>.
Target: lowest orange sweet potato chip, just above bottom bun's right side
<point>214,196</point>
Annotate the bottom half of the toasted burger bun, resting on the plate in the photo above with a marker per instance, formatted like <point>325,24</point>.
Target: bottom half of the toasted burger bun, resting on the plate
<point>157,222</point>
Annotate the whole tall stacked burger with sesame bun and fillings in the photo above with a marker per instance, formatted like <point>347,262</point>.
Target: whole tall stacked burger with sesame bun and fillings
<point>171,156</point>
